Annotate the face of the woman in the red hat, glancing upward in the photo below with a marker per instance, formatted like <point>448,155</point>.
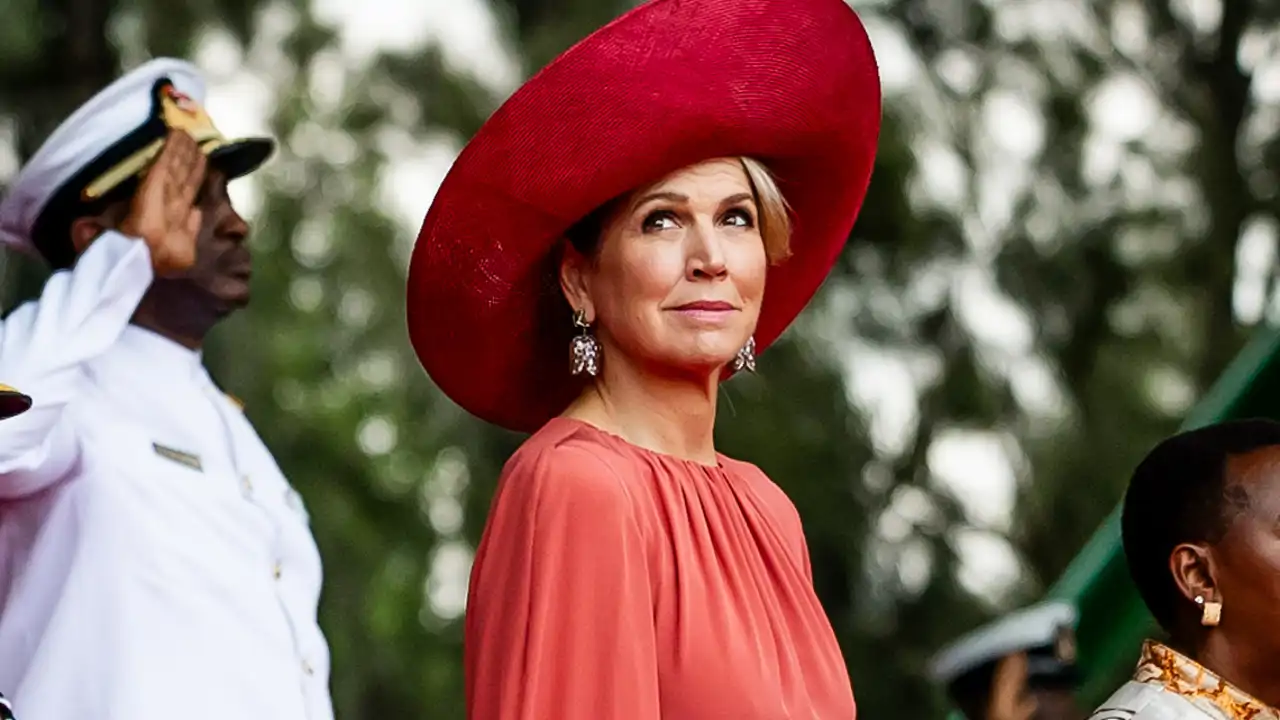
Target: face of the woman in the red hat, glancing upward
<point>679,274</point>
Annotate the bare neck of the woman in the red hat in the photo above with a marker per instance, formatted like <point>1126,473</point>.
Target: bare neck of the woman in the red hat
<point>666,414</point>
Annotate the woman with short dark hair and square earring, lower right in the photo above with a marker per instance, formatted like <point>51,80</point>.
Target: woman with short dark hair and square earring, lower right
<point>1200,534</point>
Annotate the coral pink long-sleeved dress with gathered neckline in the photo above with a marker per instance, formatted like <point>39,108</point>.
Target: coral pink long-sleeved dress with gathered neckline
<point>616,584</point>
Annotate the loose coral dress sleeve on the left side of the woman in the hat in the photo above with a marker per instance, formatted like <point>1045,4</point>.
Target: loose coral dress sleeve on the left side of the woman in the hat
<point>560,617</point>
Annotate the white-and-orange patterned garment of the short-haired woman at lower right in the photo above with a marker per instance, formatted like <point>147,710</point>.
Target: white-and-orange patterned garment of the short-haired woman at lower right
<point>1169,686</point>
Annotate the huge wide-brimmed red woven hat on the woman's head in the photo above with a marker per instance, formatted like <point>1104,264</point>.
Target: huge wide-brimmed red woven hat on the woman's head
<point>792,84</point>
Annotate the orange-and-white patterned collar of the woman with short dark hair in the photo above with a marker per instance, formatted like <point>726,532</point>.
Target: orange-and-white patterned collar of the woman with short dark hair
<point>1172,671</point>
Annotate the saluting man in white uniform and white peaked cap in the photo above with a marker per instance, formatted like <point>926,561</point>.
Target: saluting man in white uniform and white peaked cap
<point>154,562</point>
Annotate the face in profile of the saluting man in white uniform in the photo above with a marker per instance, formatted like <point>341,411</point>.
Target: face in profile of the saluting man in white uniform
<point>221,277</point>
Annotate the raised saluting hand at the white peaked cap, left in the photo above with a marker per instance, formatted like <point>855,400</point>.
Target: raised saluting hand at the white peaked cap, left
<point>163,212</point>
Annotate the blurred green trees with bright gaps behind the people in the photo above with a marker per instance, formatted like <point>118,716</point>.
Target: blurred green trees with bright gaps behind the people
<point>1071,233</point>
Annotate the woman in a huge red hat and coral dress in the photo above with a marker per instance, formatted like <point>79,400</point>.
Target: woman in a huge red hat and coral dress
<point>627,208</point>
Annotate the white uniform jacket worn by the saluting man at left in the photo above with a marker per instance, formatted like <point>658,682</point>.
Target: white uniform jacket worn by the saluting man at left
<point>154,562</point>
